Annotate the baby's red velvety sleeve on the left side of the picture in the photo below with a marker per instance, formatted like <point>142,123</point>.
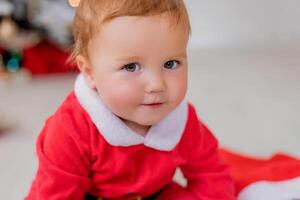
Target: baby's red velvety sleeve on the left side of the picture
<point>64,160</point>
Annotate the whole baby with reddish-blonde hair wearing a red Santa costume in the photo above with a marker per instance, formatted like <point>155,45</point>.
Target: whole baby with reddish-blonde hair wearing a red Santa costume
<point>126,127</point>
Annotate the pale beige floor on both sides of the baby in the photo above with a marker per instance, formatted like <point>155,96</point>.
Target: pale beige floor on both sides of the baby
<point>249,98</point>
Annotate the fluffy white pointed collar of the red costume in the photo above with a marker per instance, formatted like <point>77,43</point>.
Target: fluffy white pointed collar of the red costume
<point>163,136</point>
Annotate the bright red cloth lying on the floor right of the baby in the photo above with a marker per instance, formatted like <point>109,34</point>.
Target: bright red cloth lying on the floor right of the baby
<point>246,170</point>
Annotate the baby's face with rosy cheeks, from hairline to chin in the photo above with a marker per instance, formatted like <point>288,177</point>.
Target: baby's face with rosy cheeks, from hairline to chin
<point>139,67</point>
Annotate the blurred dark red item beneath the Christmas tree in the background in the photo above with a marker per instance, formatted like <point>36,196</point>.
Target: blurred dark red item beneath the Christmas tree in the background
<point>46,58</point>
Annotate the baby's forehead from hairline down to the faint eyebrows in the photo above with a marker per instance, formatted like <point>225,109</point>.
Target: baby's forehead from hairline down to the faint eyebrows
<point>133,38</point>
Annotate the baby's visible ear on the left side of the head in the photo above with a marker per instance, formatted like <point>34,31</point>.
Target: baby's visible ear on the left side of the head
<point>86,69</point>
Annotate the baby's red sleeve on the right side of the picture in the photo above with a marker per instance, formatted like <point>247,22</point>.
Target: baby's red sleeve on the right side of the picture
<point>208,177</point>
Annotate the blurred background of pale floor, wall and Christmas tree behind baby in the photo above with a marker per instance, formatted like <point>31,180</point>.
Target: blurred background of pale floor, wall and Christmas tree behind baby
<point>244,59</point>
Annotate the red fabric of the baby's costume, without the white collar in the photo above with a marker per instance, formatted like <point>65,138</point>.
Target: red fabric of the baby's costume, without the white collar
<point>75,159</point>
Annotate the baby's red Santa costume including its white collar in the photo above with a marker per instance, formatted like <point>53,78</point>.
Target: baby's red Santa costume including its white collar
<point>84,148</point>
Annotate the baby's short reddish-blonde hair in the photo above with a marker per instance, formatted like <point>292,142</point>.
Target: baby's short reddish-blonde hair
<point>91,14</point>
